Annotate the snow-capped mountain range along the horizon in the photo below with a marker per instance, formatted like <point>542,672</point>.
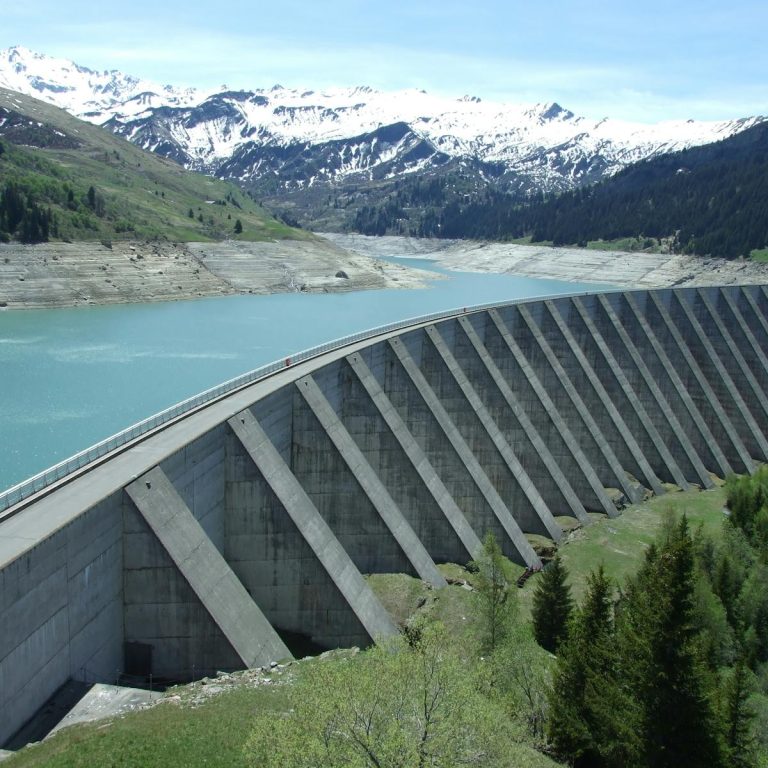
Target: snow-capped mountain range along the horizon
<point>286,140</point>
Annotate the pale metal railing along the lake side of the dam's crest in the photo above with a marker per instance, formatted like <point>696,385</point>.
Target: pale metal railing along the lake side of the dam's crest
<point>57,472</point>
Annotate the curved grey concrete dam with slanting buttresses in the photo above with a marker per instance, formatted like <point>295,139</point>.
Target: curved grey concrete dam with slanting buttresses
<point>216,540</point>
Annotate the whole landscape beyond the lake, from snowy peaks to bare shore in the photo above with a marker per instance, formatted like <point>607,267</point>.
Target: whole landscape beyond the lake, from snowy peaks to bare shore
<point>124,222</point>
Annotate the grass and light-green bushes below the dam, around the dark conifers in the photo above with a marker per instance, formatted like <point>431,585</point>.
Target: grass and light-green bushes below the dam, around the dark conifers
<point>497,701</point>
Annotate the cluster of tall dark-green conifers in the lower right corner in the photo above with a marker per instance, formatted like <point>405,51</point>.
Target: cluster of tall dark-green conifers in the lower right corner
<point>661,671</point>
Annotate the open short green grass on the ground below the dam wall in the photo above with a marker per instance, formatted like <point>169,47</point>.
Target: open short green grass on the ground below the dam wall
<point>212,733</point>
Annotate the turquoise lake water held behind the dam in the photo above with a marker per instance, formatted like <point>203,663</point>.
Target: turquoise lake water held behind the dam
<point>72,377</point>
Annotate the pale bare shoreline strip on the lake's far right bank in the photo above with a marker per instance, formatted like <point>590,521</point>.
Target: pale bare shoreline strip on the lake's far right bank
<point>618,268</point>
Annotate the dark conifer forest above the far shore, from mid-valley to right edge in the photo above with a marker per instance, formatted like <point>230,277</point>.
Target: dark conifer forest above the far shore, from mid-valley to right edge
<point>709,200</point>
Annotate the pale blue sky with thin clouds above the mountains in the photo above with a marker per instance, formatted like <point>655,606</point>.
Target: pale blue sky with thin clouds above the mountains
<point>634,60</point>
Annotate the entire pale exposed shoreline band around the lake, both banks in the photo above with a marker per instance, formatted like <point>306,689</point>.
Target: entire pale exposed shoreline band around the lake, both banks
<point>53,275</point>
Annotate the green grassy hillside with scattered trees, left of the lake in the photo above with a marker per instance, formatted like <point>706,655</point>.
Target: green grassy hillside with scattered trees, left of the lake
<point>64,179</point>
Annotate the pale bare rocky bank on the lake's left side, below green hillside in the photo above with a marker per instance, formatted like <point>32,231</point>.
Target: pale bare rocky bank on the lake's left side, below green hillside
<point>91,273</point>
